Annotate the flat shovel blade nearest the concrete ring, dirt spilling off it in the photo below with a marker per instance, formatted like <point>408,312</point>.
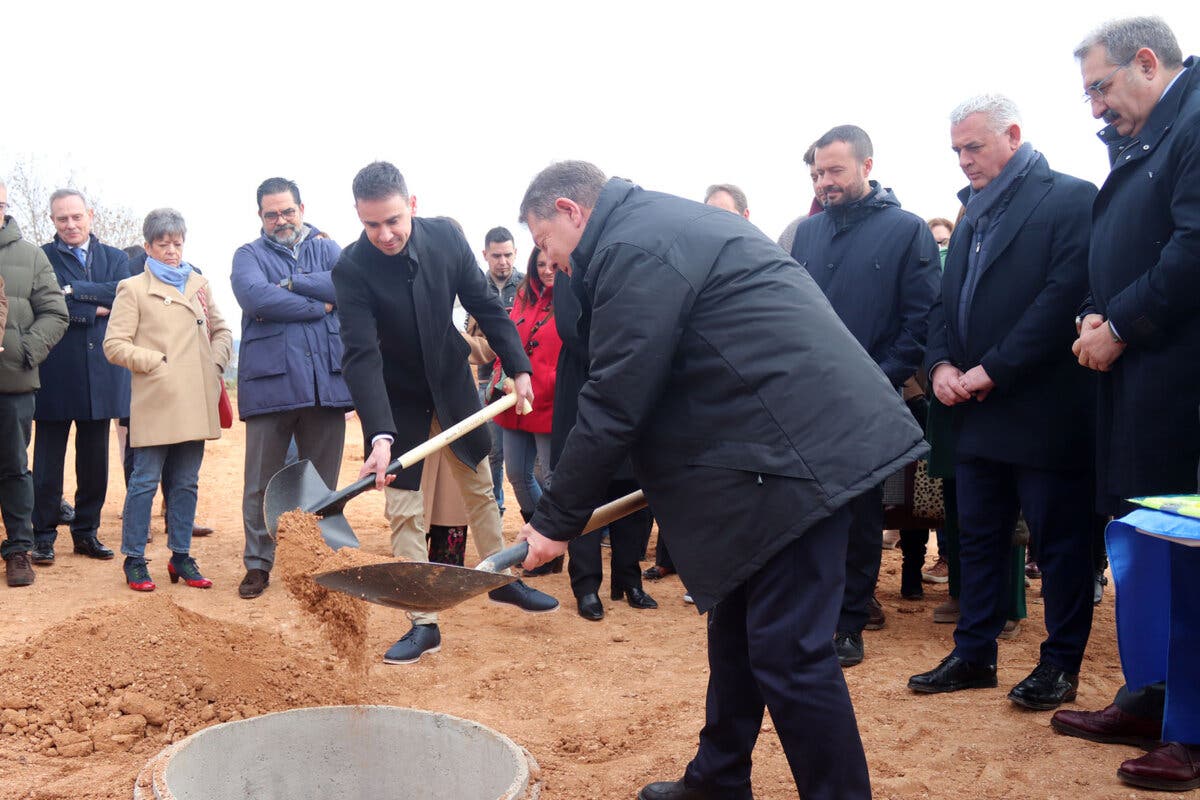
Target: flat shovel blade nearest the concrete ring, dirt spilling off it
<point>413,586</point>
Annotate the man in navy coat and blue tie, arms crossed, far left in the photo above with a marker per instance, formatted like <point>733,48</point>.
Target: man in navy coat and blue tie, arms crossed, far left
<point>80,387</point>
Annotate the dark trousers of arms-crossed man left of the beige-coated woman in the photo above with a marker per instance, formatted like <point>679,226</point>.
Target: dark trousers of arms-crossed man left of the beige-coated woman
<point>92,476</point>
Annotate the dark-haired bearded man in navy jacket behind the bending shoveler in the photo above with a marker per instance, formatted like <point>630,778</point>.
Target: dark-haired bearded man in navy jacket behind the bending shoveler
<point>878,264</point>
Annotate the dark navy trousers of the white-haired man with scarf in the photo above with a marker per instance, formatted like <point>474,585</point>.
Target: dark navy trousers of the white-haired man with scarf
<point>1058,507</point>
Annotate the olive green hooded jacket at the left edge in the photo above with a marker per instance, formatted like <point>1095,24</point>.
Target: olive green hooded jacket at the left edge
<point>38,314</point>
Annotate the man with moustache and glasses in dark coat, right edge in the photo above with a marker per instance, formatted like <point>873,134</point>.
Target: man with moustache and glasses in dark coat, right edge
<point>1141,330</point>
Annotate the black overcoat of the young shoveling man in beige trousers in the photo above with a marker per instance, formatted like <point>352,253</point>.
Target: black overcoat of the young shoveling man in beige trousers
<point>443,267</point>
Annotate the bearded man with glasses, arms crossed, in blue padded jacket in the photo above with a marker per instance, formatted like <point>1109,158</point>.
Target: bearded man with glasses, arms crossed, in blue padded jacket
<point>290,363</point>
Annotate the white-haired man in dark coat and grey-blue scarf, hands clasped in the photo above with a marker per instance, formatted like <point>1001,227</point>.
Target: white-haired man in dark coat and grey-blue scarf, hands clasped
<point>1000,348</point>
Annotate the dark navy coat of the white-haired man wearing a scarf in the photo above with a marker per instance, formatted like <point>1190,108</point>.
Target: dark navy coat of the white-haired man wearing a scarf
<point>1022,324</point>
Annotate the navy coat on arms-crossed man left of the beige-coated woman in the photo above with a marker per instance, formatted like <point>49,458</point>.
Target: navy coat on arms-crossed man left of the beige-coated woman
<point>79,383</point>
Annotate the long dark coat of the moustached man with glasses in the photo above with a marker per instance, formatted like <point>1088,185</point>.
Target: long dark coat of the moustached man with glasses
<point>1145,278</point>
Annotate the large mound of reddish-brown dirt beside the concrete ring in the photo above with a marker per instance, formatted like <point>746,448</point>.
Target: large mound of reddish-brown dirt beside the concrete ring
<point>111,678</point>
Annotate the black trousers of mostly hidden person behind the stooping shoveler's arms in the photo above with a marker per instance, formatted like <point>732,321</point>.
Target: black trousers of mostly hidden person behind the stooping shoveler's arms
<point>586,566</point>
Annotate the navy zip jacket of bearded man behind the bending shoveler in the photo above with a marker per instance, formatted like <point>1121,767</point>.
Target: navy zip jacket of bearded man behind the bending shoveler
<point>879,267</point>
